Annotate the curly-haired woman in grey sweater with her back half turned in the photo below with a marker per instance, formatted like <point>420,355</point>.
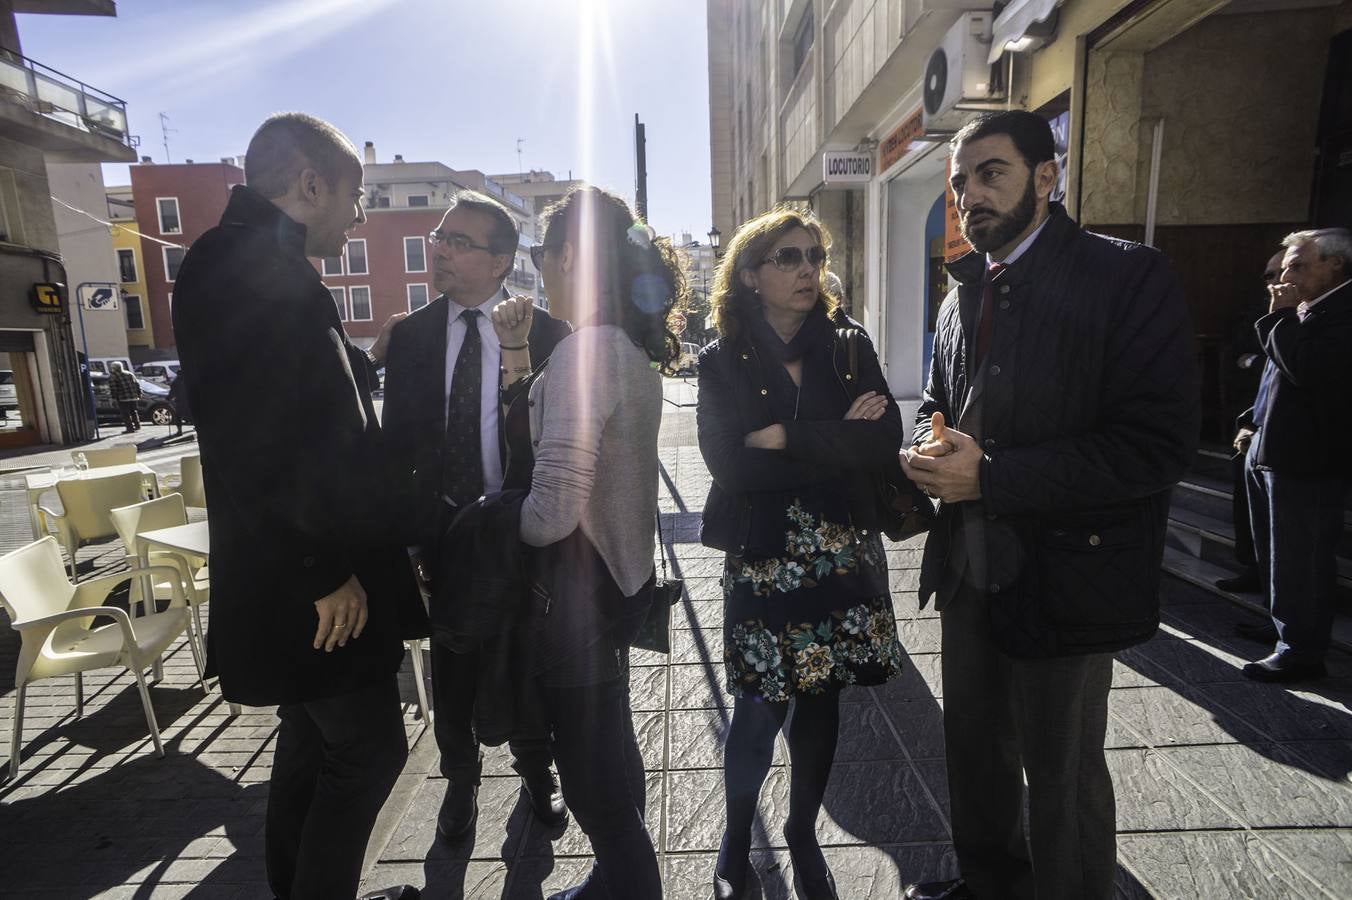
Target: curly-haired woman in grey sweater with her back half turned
<point>594,411</point>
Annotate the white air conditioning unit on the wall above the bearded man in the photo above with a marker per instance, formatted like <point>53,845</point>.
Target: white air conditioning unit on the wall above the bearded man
<point>958,79</point>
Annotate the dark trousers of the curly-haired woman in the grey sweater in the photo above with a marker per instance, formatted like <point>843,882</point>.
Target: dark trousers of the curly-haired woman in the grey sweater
<point>602,776</point>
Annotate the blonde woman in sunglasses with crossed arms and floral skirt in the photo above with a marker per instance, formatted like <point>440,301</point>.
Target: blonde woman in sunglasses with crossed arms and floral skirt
<point>793,439</point>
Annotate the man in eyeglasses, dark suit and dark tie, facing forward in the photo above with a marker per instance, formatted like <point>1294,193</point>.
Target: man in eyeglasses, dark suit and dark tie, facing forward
<point>443,422</point>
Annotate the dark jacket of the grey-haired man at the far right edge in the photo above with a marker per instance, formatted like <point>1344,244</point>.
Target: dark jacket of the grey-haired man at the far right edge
<point>1308,426</point>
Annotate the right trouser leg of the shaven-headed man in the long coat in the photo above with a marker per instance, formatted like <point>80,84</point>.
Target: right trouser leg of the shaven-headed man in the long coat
<point>364,752</point>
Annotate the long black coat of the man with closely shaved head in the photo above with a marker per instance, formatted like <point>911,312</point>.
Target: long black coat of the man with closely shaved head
<point>302,495</point>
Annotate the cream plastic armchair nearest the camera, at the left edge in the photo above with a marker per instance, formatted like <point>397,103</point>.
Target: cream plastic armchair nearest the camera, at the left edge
<point>56,624</point>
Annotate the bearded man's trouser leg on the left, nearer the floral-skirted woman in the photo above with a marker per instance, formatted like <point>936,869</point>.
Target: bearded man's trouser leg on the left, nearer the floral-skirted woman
<point>985,772</point>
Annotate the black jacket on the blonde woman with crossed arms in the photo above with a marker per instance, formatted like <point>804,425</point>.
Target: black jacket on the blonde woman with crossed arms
<point>732,405</point>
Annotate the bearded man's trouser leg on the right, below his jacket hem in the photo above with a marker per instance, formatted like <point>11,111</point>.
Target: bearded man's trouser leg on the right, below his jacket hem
<point>1062,714</point>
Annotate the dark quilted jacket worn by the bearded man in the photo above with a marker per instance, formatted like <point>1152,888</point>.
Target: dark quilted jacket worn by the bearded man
<point>1090,417</point>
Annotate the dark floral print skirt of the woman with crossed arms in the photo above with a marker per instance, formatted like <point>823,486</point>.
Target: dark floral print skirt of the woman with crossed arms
<point>806,622</point>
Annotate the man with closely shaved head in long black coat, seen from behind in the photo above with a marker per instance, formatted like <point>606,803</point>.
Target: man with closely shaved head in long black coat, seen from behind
<point>313,594</point>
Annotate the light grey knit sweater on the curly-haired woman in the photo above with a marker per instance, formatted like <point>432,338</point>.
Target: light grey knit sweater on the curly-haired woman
<point>596,411</point>
